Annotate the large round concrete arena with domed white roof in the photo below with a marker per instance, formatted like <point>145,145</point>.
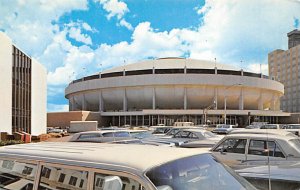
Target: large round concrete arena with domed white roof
<point>174,89</point>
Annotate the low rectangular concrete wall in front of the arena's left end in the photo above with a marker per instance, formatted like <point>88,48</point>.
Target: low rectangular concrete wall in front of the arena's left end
<point>79,126</point>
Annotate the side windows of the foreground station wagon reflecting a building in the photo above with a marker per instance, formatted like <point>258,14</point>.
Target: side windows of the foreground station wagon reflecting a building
<point>15,175</point>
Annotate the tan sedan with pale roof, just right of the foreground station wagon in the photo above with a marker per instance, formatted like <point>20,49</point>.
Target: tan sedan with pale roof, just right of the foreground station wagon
<point>237,150</point>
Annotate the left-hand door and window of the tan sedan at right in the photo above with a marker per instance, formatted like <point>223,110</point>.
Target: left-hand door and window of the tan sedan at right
<point>231,151</point>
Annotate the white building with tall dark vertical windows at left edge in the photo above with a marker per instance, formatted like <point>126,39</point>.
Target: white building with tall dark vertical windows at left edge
<point>23,90</point>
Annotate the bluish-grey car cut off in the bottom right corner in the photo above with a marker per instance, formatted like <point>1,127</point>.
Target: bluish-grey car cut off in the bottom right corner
<point>282,176</point>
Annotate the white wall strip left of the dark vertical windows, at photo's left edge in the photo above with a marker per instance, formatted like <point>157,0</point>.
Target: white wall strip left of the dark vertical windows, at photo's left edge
<point>5,84</point>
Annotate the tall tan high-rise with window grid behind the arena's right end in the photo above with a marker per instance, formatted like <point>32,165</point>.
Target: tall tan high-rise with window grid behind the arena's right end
<point>284,66</point>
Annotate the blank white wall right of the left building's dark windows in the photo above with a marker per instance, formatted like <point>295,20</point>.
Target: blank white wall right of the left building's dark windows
<point>38,99</point>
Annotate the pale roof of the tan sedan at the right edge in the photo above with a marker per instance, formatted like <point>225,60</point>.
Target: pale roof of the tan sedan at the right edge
<point>260,135</point>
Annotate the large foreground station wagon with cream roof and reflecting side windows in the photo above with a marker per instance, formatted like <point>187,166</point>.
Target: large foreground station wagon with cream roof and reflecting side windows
<point>84,166</point>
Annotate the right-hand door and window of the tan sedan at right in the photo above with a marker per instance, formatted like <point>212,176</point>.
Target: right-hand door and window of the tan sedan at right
<point>260,150</point>
